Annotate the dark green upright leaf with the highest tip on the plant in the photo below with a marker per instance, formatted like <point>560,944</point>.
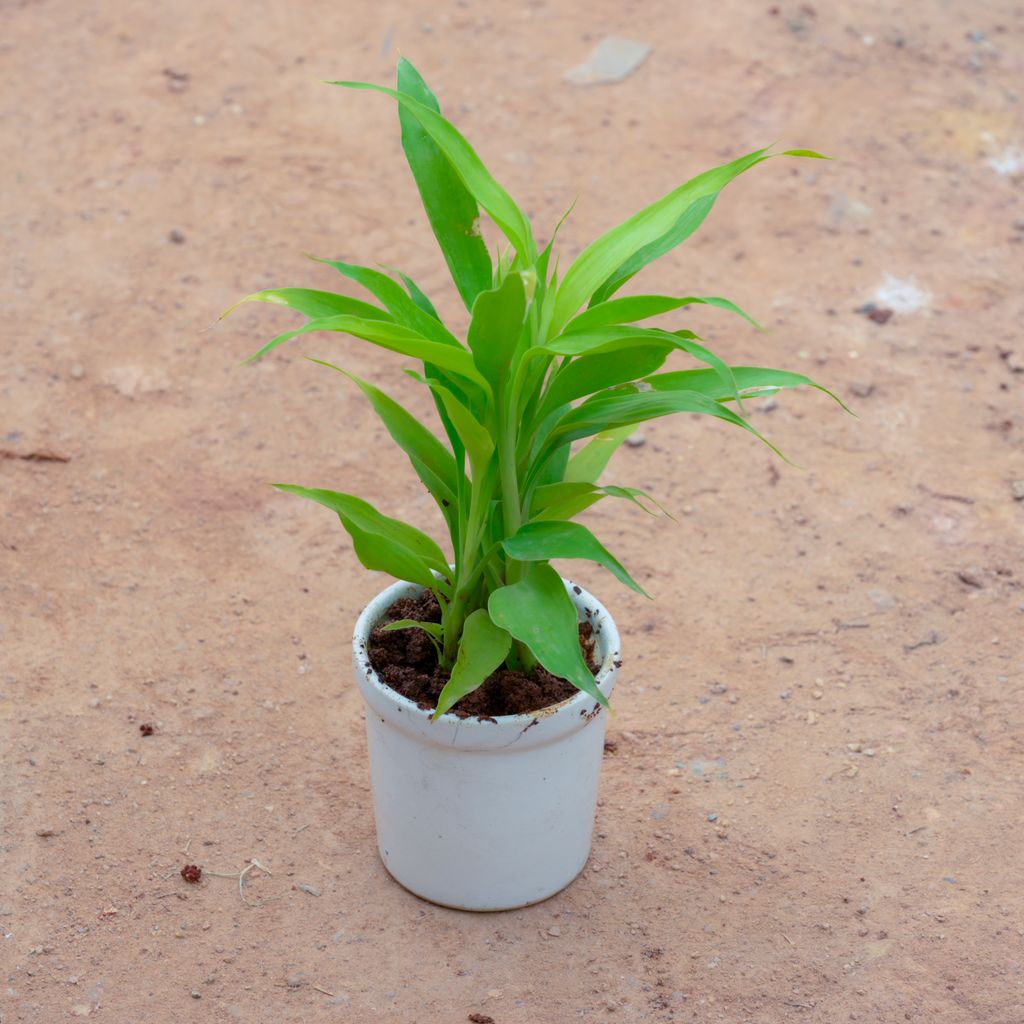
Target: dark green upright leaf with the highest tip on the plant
<point>451,208</point>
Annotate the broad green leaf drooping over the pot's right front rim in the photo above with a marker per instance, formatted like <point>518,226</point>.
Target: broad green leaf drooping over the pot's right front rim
<point>538,612</point>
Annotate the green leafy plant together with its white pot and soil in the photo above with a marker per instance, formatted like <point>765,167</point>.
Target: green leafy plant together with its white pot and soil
<point>486,675</point>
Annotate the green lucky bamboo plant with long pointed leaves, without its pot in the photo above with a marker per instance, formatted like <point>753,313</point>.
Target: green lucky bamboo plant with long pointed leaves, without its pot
<point>550,359</point>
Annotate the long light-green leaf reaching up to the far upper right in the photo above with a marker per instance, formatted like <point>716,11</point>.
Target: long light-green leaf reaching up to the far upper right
<point>657,226</point>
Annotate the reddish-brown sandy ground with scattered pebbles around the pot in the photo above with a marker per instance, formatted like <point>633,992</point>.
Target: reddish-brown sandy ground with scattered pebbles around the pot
<point>813,812</point>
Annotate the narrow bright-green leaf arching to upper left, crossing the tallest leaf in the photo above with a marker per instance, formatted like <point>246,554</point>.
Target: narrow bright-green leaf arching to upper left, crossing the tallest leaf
<point>468,166</point>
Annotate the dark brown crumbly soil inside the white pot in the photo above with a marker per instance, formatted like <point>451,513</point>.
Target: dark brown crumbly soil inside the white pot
<point>407,661</point>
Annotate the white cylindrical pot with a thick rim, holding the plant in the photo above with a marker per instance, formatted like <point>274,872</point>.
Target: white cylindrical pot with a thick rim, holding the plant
<point>485,815</point>
